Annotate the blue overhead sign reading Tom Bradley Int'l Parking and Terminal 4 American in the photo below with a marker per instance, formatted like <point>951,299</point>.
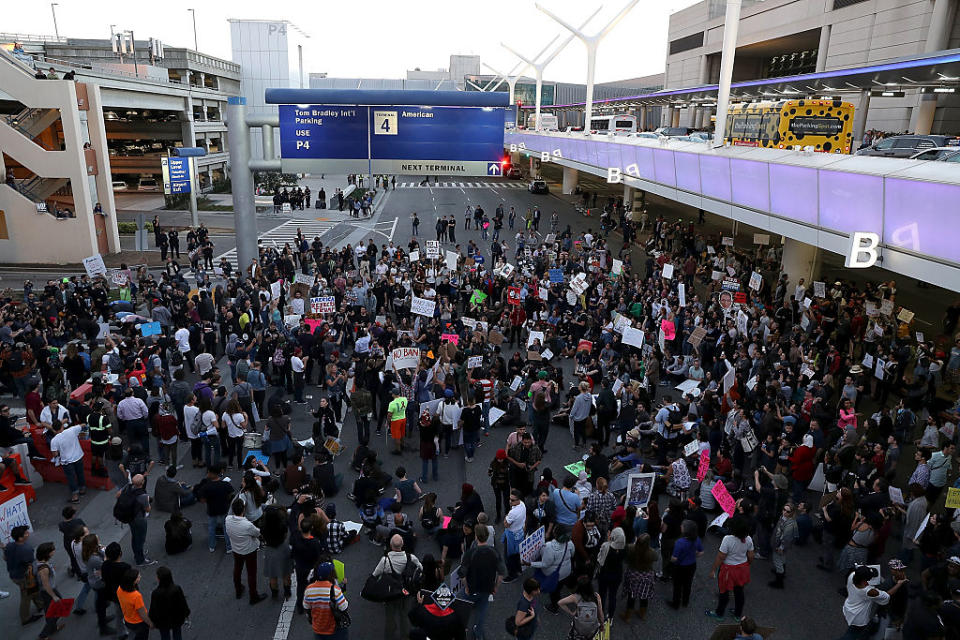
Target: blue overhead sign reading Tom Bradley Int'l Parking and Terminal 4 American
<point>401,140</point>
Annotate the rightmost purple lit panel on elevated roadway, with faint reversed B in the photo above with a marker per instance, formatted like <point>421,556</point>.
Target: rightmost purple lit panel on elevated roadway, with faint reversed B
<point>917,217</point>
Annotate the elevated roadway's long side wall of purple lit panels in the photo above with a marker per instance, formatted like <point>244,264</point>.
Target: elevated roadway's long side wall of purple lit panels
<point>815,198</point>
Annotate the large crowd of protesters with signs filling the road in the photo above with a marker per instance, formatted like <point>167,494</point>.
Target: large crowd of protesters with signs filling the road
<point>783,385</point>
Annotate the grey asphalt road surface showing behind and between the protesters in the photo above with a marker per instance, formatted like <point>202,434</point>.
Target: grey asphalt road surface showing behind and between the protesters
<point>808,608</point>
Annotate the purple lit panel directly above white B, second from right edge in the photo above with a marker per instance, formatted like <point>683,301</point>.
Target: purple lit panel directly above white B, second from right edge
<point>850,201</point>
